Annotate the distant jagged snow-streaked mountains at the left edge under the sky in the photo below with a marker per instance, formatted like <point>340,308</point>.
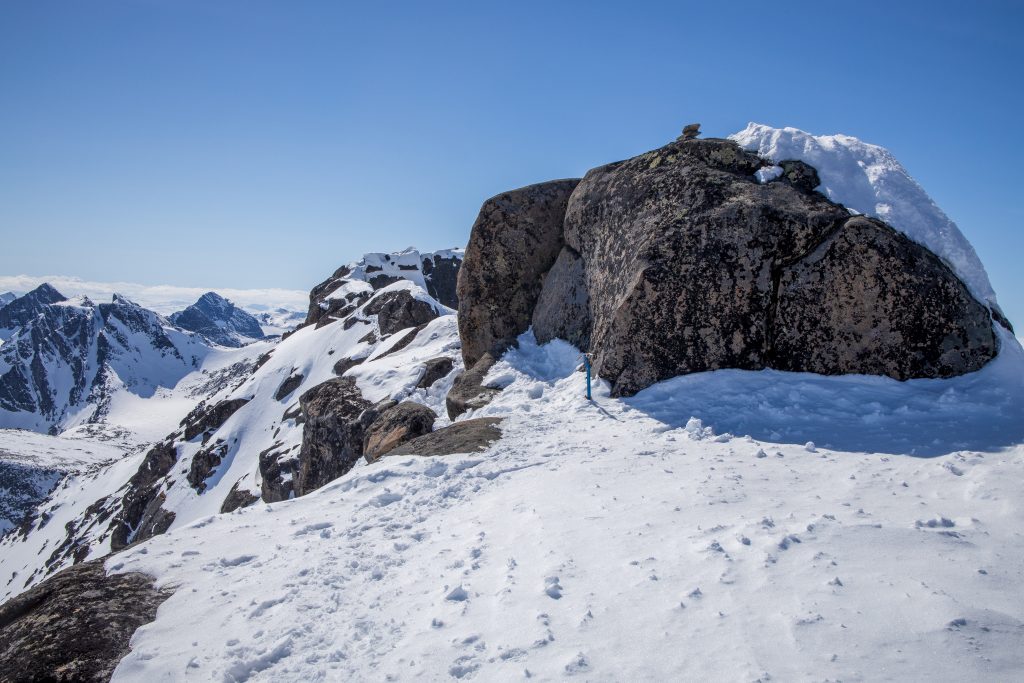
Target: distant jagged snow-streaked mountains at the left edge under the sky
<point>64,360</point>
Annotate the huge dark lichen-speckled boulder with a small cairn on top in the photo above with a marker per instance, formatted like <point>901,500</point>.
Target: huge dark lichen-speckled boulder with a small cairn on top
<point>679,261</point>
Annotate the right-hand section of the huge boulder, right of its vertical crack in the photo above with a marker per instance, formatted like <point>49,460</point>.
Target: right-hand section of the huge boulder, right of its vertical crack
<point>870,301</point>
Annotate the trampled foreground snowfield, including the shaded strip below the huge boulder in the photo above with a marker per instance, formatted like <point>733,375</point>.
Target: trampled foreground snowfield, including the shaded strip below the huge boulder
<point>629,540</point>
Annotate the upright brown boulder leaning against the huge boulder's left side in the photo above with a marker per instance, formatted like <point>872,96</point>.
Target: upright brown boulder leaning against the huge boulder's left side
<point>516,240</point>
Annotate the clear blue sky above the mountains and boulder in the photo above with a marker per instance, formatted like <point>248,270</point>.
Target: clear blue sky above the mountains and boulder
<point>253,145</point>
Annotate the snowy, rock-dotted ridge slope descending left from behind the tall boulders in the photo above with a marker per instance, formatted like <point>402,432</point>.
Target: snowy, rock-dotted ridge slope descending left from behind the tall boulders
<point>267,424</point>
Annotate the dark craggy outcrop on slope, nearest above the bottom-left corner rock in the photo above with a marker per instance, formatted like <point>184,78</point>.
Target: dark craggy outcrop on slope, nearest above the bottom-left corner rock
<point>141,517</point>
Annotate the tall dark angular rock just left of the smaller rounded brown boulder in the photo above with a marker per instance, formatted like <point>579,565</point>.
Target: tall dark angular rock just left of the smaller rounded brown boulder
<point>337,417</point>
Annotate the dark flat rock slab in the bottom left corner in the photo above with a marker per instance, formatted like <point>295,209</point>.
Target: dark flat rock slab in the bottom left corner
<point>75,626</point>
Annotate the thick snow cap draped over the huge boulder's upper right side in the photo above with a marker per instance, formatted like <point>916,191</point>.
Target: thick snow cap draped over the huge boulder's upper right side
<point>869,180</point>
